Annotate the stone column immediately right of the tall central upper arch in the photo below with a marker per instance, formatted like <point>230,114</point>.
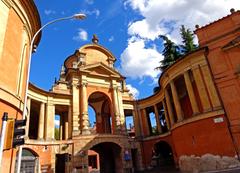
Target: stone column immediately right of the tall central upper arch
<point>116,110</point>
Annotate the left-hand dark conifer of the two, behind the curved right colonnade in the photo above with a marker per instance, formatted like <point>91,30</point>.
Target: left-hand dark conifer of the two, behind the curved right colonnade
<point>171,53</point>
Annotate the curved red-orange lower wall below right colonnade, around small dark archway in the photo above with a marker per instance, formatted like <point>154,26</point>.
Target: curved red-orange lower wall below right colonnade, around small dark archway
<point>197,138</point>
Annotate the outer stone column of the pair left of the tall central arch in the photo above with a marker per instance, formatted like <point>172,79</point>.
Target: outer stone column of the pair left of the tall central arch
<point>74,110</point>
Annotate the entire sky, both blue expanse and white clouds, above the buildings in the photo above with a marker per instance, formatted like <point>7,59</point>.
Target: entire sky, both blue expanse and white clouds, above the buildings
<point>128,28</point>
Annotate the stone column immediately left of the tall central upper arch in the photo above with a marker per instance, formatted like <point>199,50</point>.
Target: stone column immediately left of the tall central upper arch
<point>84,99</point>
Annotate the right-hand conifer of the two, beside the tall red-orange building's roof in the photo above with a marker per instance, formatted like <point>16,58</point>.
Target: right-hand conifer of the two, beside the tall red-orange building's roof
<point>187,40</point>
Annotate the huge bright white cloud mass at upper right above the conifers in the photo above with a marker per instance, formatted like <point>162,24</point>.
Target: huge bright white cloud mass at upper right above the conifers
<point>165,17</point>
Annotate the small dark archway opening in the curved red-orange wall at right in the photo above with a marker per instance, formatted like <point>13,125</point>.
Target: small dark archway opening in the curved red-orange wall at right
<point>163,155</point>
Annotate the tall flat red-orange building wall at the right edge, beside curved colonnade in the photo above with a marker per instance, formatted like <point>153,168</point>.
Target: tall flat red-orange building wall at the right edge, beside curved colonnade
<point>222,39</point>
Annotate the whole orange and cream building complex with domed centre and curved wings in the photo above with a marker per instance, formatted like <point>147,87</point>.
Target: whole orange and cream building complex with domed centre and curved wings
<point>196,107</point>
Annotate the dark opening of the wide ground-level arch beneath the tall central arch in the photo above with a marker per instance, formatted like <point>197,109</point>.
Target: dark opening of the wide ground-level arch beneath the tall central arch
<point>107,158</point>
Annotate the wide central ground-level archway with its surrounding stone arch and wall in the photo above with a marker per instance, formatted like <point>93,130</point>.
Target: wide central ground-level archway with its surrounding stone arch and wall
<point>110,151</point>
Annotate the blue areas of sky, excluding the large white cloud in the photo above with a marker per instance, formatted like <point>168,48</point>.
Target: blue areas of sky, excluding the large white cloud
<point>109,22</point>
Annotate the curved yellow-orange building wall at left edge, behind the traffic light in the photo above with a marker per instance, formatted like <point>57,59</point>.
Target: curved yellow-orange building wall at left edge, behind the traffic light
<point>18,20</point>
